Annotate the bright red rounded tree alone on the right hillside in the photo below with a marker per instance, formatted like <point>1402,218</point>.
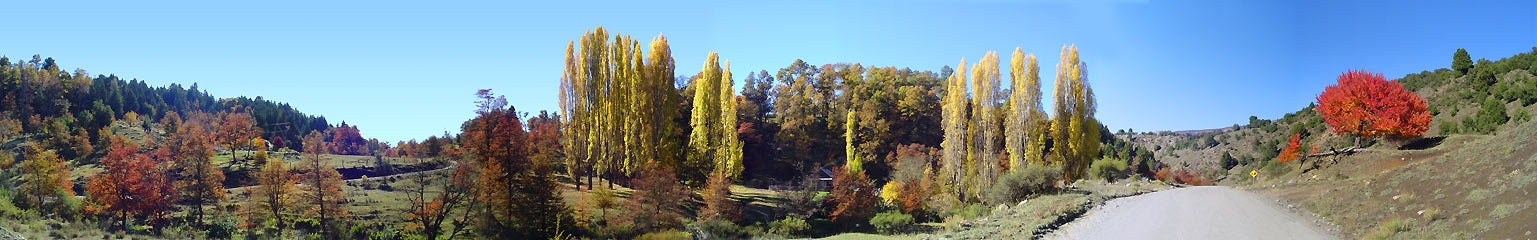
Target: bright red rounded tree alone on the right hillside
<point>1367,105</point>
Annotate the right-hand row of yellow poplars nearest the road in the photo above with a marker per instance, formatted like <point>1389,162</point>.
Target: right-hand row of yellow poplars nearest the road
<point>989,135</point>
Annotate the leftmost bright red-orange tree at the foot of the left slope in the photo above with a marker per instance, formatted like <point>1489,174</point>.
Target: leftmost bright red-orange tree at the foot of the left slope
<point>131,187</point>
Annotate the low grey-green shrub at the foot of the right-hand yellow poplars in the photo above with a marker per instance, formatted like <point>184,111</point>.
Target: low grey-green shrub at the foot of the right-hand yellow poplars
<point>1024,182</point>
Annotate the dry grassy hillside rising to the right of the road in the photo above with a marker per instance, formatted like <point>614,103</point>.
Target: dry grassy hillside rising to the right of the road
<point>1467,178</point>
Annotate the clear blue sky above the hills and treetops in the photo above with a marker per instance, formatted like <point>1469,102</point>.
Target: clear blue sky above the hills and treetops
<point>408,70</point>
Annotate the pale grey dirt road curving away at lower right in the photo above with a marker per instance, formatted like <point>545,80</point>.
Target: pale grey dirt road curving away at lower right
<point>1195,213</point>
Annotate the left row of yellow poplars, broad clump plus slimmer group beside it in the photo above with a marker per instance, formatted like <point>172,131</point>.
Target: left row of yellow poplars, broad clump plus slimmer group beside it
<point>617,107</point>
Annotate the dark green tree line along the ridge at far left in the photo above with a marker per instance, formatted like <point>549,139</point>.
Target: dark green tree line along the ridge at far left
<point>38,92</point>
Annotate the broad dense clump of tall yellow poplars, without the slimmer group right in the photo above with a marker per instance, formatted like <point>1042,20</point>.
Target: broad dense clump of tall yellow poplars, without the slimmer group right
<point>616,102</point>
